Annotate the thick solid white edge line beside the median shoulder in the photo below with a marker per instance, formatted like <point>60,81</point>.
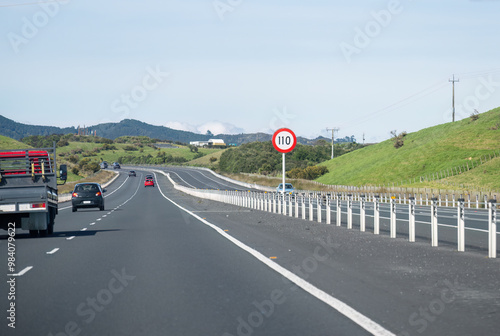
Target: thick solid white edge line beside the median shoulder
<point>341,307</point>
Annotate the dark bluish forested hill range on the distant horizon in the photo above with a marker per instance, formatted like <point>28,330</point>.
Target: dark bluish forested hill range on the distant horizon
<point>131,127</point>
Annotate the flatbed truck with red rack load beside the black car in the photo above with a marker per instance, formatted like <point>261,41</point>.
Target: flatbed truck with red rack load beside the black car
<point>28,189</point>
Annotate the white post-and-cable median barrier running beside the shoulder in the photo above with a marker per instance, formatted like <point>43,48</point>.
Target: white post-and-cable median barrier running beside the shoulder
<point>311,206</point>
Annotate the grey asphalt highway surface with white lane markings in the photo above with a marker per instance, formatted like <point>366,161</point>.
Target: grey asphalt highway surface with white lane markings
<point>160,262</point>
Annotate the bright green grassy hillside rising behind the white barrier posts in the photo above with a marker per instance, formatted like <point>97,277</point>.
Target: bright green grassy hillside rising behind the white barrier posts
<point>431,153</point>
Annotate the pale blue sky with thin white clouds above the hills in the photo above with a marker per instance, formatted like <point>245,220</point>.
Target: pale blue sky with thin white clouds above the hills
<point>365,68</point>
